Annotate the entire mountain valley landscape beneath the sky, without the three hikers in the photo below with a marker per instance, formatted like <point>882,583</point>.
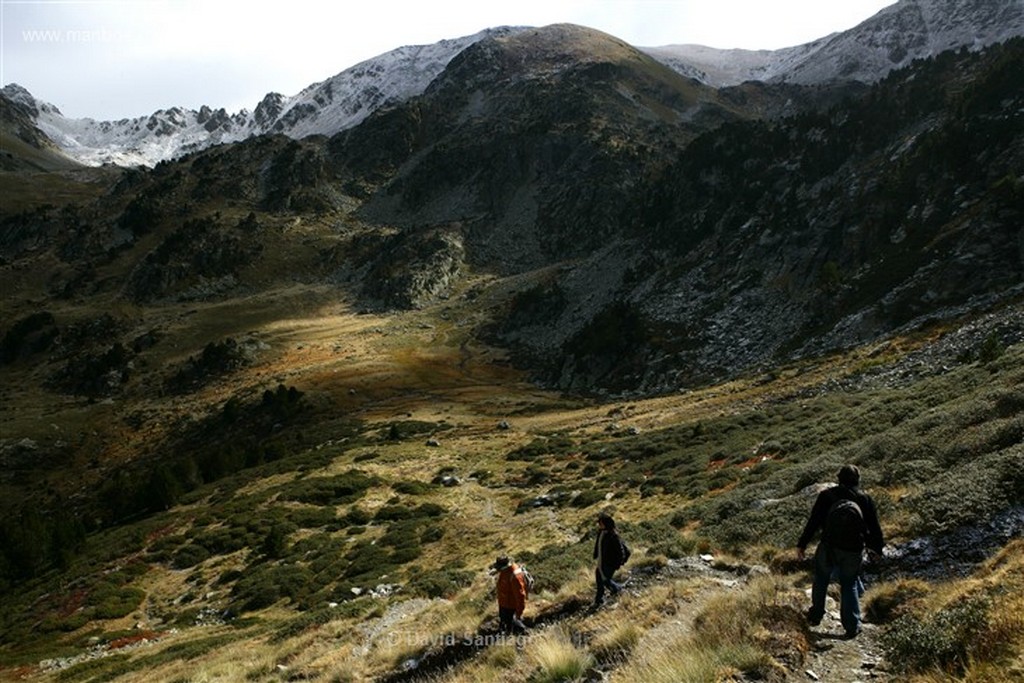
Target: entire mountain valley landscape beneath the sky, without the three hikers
<point>277,389</point>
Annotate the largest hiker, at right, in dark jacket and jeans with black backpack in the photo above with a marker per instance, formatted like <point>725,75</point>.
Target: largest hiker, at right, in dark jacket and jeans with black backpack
<point>846,531</point>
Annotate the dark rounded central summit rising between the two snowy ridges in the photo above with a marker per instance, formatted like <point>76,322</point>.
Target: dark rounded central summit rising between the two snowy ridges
<point>533,143</point>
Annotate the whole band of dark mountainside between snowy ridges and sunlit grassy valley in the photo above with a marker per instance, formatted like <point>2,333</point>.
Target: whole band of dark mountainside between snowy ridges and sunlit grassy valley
<point>696,234</point>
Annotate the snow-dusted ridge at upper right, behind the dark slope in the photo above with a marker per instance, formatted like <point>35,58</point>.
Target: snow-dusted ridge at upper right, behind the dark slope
<point>893,38</point>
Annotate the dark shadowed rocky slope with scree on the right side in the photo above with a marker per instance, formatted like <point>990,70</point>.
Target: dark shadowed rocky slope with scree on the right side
<point>767,241</point>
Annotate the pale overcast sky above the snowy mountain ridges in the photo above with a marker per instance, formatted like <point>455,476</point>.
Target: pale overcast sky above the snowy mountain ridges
<point>117,59</point>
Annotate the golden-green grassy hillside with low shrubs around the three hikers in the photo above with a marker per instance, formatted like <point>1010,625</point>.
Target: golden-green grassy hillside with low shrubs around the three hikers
<point>350,533</point>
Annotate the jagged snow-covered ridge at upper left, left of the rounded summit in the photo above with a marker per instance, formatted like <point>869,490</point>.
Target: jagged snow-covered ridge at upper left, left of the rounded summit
<point>326,108</point>
